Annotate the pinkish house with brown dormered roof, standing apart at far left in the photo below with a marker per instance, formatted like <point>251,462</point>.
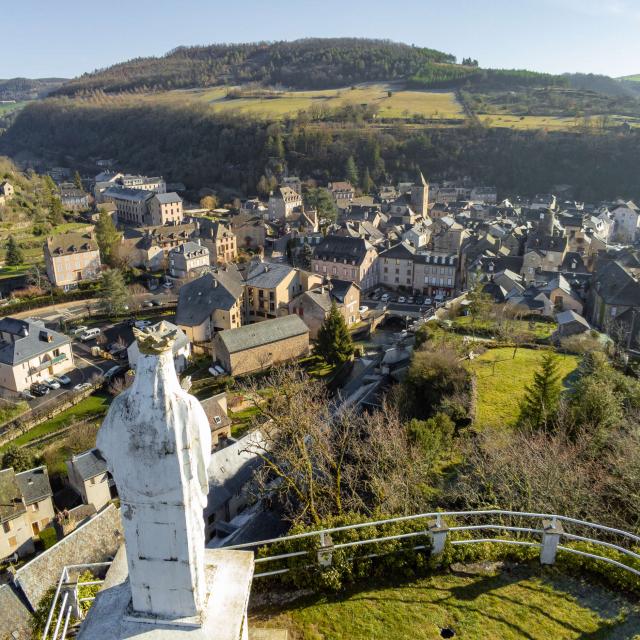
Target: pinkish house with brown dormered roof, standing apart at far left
<point>71,258</point>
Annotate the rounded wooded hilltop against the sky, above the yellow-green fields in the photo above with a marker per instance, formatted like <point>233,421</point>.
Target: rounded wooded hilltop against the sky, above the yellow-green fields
<point>309,63</point>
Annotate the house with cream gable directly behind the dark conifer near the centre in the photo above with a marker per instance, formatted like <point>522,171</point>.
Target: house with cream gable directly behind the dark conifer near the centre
<point>313,306</point>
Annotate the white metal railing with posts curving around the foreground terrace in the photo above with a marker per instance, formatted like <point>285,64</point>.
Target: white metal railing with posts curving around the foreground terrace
<point>545,531</point>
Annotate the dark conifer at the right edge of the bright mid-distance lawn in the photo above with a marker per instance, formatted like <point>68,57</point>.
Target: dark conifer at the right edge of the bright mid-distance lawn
<point>542,396</point>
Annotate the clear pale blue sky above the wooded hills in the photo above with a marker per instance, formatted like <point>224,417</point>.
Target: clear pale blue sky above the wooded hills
<point>48,38</point>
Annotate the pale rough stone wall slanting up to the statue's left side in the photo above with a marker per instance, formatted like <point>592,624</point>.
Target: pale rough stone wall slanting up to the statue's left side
<point>95,541</point>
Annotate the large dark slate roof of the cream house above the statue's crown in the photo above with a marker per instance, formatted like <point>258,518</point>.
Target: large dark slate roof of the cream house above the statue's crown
<point>198,299</point>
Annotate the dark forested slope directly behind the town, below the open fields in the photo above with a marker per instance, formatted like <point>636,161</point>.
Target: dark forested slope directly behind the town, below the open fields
<point>193,145</point>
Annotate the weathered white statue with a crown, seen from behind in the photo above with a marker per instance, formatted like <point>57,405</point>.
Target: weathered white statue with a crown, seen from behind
<point>157,444</point>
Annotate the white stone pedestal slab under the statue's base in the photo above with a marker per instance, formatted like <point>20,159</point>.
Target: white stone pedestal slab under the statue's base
<point>224,617</point>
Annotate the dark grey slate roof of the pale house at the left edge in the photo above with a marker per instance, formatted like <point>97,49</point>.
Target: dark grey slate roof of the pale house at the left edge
<point>31,339</point>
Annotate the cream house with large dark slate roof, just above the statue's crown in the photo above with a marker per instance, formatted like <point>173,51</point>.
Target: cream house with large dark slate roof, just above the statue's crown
<point>209,304</point>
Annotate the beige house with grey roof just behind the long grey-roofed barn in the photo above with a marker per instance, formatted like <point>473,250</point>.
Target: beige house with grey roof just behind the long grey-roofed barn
<point>270,287</point>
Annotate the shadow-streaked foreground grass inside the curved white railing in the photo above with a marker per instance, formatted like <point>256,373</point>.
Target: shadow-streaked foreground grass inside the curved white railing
<point>525,603</point>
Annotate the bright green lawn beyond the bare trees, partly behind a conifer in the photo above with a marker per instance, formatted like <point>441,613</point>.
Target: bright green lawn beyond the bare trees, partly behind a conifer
<point>500,391</point>
